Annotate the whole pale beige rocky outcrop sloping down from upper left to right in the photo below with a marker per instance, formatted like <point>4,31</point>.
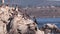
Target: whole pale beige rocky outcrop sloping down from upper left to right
<point>14,21</point>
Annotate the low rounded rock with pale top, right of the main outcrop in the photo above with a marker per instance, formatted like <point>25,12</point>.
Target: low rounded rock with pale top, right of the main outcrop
<point>50,29</point>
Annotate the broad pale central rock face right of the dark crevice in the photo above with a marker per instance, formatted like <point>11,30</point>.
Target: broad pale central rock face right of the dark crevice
<point>20,23</point>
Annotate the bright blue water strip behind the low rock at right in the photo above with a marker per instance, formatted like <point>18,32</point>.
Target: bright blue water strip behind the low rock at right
<point>42,21</point>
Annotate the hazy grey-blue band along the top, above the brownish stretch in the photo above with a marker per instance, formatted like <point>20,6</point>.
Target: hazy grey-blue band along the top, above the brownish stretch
<point>32,3</point>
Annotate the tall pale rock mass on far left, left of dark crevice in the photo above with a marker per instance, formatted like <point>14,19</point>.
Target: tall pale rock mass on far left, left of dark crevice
<point>5,14</point>
